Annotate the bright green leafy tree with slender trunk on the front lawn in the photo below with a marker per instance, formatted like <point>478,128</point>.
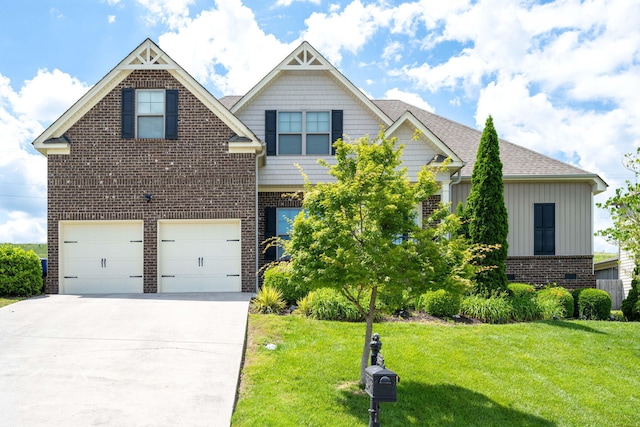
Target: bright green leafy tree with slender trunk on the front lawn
<point>359,235</point>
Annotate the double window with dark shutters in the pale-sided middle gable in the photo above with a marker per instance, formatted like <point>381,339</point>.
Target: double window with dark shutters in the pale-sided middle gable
<point>302,132</point>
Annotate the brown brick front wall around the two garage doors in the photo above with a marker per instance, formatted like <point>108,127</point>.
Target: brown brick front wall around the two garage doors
<point>194,177</point>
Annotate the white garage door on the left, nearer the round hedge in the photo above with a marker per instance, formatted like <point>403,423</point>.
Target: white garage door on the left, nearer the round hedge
<point>98,257</point>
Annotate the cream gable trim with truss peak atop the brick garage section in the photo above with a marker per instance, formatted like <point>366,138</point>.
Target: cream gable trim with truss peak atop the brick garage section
<point>147,56</point>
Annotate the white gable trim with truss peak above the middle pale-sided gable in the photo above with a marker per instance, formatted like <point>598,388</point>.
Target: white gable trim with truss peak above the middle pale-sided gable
<point>305,58</point>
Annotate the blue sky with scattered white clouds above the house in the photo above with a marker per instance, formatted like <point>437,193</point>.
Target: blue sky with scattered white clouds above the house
<point>560,77</point>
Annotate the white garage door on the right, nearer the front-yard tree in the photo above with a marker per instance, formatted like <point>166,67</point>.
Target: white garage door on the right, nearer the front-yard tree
<point>199,256</point>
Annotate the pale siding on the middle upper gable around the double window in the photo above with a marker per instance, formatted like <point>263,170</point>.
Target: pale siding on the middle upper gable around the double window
<point>305,91</point>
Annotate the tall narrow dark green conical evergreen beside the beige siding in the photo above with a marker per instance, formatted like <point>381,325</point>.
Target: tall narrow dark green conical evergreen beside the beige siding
<point>487,213</point>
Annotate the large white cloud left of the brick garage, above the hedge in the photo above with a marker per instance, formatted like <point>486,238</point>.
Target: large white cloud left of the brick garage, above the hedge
<point>23,171</point>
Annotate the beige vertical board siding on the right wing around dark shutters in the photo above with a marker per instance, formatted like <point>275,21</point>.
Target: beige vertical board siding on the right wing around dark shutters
<point>574,214</point>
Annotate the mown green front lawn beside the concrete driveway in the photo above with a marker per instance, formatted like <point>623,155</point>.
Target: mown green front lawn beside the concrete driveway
<point>556,373</point>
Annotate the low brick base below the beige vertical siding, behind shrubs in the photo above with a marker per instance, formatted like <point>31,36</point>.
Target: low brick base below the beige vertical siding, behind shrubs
<point>542,270</point>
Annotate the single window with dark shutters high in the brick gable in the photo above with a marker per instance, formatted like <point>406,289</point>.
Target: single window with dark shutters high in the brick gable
<point>149,113</point>
